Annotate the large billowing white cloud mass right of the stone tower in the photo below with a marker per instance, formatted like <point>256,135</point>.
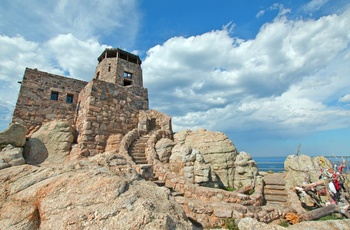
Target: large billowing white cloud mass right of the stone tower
<point>286,80</point>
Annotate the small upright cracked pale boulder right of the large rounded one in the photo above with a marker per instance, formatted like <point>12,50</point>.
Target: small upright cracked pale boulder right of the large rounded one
<point>246,170</point>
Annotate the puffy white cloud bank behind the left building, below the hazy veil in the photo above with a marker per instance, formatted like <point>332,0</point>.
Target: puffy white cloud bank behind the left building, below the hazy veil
<point>64,55</point>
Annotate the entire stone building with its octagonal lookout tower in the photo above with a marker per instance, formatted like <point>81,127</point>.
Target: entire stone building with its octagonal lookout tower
<point>107,106</point>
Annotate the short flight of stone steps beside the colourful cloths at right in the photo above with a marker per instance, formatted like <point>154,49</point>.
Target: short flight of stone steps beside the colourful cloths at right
<point>274,190</point>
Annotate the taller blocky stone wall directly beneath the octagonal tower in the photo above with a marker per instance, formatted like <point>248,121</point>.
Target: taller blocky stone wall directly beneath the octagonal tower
<point>107,109</point>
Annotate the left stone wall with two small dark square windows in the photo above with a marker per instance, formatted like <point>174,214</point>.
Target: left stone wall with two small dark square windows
<point>34,105</point>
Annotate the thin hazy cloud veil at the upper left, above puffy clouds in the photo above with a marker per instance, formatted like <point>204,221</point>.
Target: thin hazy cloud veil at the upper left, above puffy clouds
<point>38,20</point>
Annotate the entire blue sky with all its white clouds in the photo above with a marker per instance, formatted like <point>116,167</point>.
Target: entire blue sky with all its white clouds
<point>271,75</point>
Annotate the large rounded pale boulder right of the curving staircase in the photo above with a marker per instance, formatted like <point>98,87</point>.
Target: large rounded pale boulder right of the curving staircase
<point>216,149</point>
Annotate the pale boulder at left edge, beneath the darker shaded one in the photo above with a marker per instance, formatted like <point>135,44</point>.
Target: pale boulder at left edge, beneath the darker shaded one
<point>11,156</point>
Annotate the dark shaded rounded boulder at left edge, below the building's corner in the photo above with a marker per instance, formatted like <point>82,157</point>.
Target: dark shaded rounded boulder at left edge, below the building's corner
<point>15,135</point>
